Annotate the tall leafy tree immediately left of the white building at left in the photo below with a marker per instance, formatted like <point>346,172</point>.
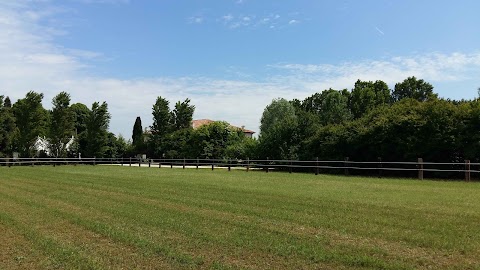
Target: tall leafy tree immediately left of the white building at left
<point>31,119</point>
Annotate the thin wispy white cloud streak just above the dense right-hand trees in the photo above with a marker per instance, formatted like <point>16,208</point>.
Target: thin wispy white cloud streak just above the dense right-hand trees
<point>434,67</point>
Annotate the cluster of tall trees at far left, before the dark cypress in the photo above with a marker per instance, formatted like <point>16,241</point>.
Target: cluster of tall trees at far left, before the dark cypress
<point>67,129</point>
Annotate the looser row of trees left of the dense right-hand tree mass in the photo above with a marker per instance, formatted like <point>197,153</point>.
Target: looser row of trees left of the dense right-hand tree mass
<point>73,130</point>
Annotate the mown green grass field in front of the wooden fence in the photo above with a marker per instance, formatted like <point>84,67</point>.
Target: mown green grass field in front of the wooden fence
<point>107,217</point>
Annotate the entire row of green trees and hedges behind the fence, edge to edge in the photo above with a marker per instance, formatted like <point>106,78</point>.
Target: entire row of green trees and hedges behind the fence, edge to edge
<point>364,123</point>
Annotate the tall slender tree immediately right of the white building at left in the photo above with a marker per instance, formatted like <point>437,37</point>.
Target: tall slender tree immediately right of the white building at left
<point>62,126</point>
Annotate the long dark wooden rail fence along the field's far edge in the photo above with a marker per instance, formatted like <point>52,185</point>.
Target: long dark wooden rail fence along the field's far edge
<point>466,169</point>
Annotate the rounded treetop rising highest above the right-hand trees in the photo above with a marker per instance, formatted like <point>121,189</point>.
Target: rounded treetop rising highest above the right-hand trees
<point>413,88</point>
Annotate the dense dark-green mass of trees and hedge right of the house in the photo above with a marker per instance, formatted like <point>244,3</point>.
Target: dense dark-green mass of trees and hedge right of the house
<point>372,121</point>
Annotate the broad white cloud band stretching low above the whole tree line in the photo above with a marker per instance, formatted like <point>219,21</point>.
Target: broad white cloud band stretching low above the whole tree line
<point>30,60</point>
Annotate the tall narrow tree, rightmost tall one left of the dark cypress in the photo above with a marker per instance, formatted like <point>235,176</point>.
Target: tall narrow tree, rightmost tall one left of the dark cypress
<point>97,130</point>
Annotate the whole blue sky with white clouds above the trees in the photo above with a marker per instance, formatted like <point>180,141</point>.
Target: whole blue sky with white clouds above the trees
<point>231,58</point>
